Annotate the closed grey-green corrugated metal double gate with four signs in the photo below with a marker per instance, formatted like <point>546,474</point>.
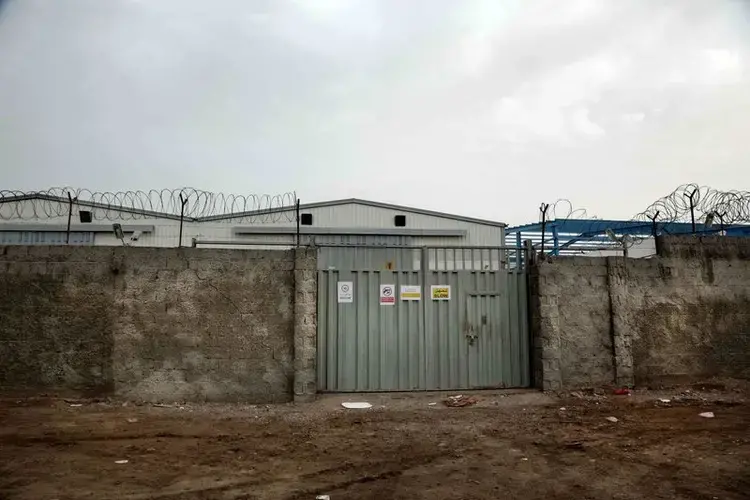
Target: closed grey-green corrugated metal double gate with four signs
<point>477,338</point>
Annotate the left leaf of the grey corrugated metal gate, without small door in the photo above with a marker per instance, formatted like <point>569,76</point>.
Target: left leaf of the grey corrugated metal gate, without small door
<point>365,346</point>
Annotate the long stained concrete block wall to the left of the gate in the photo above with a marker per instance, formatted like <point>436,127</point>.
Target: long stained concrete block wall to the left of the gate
<point>152,324</point>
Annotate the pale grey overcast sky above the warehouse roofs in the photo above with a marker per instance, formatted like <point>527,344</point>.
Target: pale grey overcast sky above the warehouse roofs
<point>478,107</point>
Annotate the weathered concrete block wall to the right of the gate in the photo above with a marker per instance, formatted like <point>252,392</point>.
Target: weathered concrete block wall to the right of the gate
<point>681,316</point>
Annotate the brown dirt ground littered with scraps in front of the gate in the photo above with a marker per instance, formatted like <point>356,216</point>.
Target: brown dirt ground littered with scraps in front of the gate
<point>509,445</point>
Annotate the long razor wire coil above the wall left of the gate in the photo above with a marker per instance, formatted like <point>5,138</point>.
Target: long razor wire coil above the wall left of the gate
<point>131,205</point>
